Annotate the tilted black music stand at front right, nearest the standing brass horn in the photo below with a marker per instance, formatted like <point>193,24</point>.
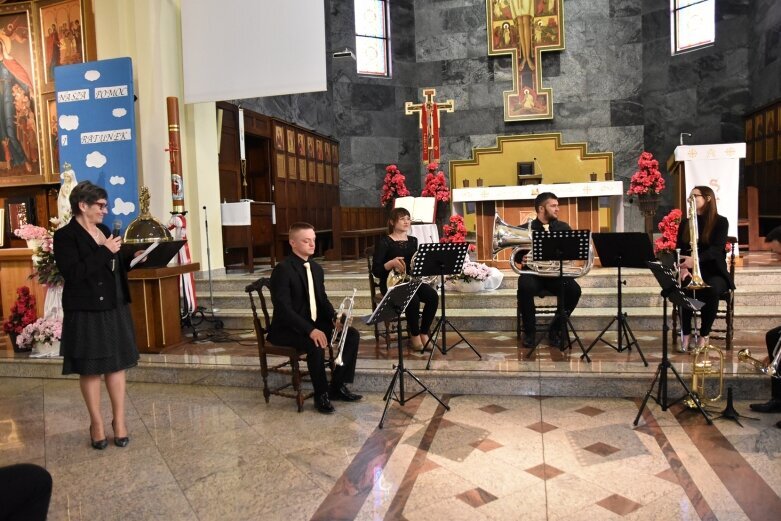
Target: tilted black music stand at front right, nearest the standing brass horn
<point>672,292</point>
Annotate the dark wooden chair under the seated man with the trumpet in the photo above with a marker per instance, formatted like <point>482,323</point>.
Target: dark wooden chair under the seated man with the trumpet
<point>292,366</point>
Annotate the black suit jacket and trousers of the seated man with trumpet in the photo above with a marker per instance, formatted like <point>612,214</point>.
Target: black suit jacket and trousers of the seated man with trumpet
<point>292,322</point>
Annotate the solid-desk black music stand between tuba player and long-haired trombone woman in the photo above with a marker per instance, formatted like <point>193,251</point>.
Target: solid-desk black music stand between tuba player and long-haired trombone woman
<point>622,250</point>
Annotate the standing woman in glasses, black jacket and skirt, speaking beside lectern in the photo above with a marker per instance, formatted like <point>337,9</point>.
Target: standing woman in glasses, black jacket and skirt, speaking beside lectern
<point>98,337</point>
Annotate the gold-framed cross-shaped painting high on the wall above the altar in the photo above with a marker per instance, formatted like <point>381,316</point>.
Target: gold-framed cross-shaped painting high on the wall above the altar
<point>524,29</point>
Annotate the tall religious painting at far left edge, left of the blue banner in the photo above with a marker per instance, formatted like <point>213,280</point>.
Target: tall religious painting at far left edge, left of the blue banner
<point>19,152</point>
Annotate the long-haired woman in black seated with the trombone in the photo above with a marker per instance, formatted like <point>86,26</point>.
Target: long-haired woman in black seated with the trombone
<point>711,243</point>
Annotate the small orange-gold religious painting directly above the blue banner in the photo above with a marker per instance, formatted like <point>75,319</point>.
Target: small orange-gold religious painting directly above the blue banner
<point>61,36</point>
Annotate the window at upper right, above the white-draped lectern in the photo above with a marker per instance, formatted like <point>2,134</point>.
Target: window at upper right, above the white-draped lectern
<point>693,24</point>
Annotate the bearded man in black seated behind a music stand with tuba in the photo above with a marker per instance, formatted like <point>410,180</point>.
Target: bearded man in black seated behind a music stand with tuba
<point>546,205</point>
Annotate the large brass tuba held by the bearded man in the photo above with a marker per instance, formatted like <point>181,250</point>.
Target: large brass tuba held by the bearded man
<point>519,238</point>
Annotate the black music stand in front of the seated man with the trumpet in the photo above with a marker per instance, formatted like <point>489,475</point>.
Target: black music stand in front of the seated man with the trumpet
<point>391,307</point>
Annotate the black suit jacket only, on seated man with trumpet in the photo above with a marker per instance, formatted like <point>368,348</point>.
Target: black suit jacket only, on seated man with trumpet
<point>291,301</point>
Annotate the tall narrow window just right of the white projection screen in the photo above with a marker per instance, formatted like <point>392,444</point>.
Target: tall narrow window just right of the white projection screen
<point>372,44</point>
